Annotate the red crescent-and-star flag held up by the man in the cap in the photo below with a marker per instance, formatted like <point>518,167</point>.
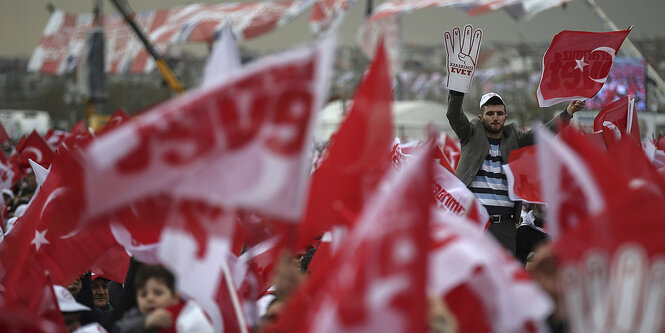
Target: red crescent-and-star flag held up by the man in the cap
<point>576,65</point>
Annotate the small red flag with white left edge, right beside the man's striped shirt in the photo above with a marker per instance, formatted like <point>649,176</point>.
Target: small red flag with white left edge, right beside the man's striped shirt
<point>523,178</point>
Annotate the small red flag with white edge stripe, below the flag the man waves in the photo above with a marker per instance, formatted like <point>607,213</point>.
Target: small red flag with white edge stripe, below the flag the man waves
<point>621,115</point>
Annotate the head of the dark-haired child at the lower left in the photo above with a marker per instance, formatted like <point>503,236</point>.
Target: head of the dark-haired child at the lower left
<point>155,288</point>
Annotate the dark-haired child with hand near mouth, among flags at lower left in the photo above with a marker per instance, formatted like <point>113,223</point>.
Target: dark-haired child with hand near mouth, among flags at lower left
<point>159,308</point>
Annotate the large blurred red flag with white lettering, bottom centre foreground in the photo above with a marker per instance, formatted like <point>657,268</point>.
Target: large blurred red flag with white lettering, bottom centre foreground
<point>376,281</point>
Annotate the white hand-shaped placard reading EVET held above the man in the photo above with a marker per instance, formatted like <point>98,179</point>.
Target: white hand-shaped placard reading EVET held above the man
<point>461,56</point>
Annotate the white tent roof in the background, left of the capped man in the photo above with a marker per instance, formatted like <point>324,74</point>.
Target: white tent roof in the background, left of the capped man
<point>410,119</point>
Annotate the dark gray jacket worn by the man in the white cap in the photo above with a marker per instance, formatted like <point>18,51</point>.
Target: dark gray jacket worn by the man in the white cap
<point>473,138</point>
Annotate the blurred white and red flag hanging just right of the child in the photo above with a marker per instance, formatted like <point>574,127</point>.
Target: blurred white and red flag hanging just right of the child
<point>198,253</point>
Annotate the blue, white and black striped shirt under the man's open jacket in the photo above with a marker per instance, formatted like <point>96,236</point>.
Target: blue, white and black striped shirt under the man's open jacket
<point>490,185</point>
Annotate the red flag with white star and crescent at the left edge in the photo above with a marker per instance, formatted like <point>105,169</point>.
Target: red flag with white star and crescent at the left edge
<point>34,245</point>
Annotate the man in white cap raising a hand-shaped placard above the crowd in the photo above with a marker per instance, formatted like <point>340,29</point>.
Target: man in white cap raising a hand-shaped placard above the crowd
<point>486,142</point>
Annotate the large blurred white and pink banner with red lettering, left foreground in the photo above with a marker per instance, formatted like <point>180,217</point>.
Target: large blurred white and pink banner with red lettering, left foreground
<point>243,143</point>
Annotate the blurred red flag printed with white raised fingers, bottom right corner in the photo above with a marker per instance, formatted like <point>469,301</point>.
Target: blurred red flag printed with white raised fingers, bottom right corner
<point>611,271</point>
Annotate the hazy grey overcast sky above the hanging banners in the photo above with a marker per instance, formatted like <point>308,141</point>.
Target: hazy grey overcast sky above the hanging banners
<point>22,22</point>
